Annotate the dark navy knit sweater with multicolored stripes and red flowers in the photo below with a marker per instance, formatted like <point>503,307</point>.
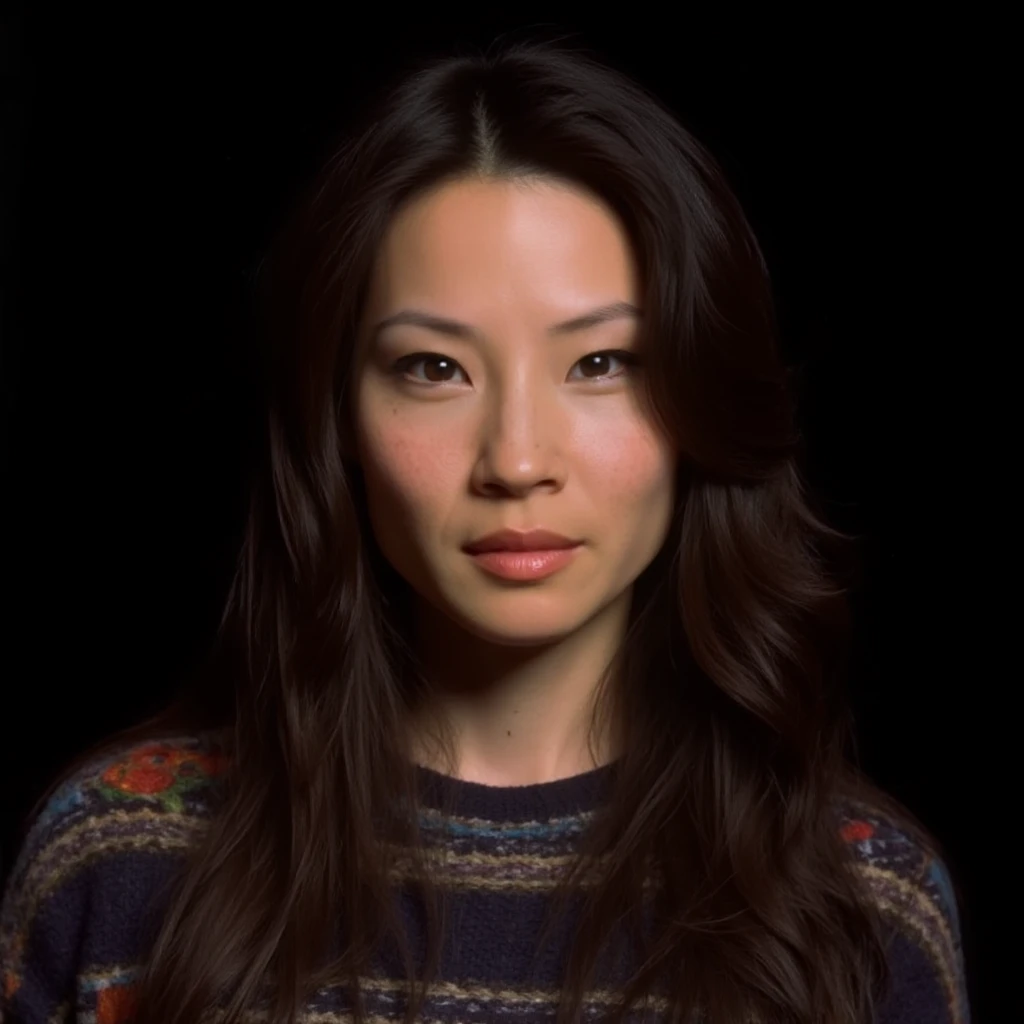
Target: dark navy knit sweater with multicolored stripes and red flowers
<point>83,889</point>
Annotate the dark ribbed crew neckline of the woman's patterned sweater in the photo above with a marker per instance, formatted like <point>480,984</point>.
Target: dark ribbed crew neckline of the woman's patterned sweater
<point>537,802</point>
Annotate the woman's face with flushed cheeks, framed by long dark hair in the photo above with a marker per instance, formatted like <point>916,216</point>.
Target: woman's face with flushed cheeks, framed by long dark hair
<point>508,422</point>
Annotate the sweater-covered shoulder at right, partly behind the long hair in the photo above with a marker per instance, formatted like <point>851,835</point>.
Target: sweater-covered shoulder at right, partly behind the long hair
<point>913,889</point>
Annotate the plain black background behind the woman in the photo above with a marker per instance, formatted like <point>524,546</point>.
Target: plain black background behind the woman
<point>146,162</point>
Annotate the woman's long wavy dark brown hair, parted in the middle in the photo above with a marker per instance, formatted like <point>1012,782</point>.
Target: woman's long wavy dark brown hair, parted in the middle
<point>729,688</point>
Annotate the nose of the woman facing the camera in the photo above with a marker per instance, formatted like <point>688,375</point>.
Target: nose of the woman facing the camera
<point>522,447</point>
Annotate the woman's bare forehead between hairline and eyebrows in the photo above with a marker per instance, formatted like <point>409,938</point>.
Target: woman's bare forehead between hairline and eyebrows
<point>541,240</point>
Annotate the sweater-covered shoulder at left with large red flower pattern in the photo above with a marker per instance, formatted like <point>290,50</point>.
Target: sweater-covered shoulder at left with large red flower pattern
<point>90,876</point>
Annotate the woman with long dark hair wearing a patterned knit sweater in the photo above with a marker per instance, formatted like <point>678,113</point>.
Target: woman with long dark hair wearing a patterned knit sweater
<point>526,698</point>
